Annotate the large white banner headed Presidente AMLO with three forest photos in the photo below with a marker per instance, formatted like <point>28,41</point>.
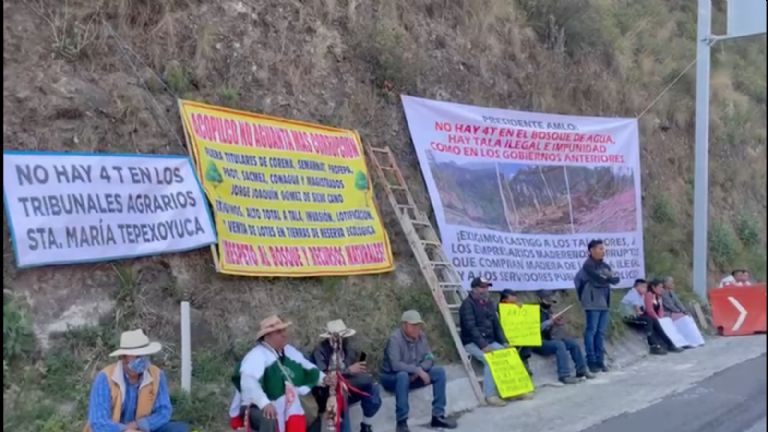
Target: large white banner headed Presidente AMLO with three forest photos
<point>518,195</point>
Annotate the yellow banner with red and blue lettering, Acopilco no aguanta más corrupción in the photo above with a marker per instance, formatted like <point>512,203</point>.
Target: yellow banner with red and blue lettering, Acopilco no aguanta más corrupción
<point>290,198</point>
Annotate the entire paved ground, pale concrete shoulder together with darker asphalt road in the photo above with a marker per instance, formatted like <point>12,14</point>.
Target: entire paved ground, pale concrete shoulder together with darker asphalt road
<point>719,387</point>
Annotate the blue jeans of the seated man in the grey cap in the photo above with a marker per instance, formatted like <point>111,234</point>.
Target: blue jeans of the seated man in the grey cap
<point>400,384</point>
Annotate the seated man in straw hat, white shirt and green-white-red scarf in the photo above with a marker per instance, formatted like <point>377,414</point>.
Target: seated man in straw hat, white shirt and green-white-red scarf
<point>272,379</point>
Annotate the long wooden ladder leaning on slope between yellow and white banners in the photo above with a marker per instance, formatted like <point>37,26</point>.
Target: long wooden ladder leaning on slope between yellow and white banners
<point>442,278</point>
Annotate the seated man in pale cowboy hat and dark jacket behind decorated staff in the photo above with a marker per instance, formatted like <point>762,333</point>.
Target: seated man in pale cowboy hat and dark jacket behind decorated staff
<point>354,370</point>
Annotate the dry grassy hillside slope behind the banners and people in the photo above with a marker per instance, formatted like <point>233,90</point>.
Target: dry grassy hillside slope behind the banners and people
<point>103,76</point>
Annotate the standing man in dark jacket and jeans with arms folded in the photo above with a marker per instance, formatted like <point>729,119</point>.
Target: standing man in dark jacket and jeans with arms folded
<point>593,284</point>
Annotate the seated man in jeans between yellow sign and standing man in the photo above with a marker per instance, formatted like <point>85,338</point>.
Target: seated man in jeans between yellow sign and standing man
<point>554,341</point>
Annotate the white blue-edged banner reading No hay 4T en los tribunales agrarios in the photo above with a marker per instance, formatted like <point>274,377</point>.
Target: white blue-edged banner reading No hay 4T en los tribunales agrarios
<point>66,208</point>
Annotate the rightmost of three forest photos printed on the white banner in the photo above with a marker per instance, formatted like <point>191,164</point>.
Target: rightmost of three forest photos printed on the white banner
<point>603,199</point>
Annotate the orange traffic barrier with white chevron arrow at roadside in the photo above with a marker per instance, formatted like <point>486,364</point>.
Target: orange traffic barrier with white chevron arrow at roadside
<point>739,310</point>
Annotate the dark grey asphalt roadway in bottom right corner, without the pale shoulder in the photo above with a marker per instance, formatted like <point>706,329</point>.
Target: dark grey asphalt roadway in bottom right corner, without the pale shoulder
<point>733,400</point>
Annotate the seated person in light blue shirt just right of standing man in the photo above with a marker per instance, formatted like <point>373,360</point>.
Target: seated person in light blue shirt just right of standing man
<point>633,309</point>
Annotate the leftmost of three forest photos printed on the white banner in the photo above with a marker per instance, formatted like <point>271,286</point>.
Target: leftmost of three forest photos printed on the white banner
<point>469,192</point>
